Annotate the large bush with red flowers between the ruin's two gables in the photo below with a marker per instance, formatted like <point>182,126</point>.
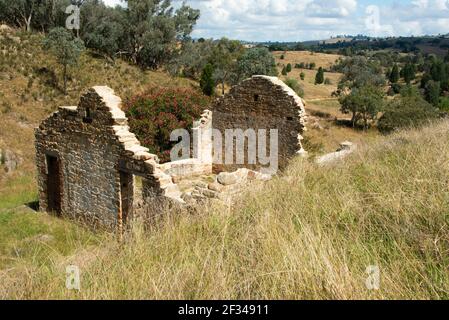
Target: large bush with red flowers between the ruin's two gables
<point>154,114</point>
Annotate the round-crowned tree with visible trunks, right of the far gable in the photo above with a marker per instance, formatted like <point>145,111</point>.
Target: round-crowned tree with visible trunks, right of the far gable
<point>363,103</point>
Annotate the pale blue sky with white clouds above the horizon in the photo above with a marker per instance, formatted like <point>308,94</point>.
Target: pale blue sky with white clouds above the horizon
<point>301,20</point>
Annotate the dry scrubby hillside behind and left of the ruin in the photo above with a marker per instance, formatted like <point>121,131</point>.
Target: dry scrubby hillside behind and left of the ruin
<point>30,90</point>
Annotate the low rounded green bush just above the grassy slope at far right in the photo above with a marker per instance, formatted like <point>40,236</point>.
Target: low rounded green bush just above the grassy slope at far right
<point>405,112</point>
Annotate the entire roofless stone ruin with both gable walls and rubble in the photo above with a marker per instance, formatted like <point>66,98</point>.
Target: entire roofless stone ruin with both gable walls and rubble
<point>87,158</point>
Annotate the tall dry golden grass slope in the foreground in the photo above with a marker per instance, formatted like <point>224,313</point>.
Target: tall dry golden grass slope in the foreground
<point>308,234</point>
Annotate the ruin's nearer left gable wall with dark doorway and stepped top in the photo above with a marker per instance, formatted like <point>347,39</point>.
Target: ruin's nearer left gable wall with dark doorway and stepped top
<point>86,158</point>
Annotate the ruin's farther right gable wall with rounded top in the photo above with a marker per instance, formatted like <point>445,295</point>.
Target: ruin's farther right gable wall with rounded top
<point>261,102</point>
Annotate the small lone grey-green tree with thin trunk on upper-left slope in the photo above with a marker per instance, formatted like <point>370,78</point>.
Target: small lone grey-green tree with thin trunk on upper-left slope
<point>66,49</point>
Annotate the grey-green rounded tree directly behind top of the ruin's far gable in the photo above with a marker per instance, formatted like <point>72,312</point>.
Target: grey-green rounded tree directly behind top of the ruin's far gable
<point>256,61</point>
